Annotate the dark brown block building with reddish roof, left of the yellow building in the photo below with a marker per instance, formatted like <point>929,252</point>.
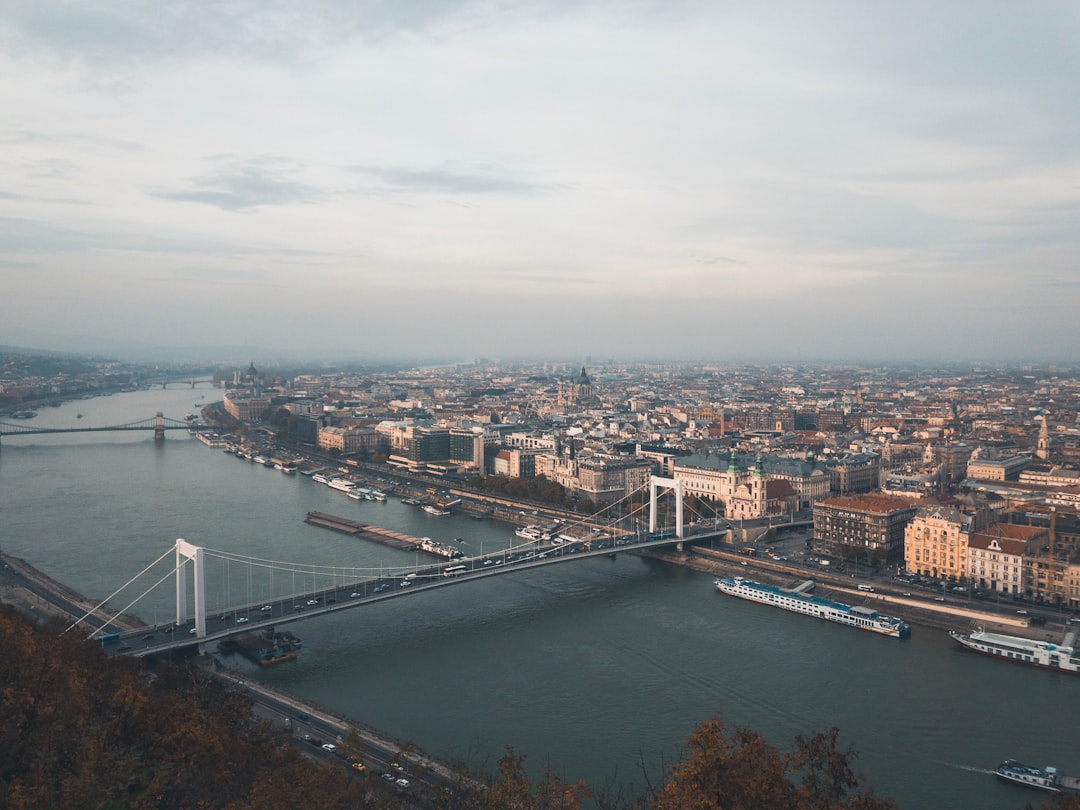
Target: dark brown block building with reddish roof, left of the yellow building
<point>863,528</point>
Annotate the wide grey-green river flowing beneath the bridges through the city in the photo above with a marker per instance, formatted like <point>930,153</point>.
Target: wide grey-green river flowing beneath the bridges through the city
<point>599,669</point>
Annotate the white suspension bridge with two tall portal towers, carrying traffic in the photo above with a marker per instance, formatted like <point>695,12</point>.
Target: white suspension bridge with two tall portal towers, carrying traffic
<point>258,593</point>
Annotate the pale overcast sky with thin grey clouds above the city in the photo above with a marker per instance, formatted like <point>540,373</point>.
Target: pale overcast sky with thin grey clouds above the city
<point>354,179</point>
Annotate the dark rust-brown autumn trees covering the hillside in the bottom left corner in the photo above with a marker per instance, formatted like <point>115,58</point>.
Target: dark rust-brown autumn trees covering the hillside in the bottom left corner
<point>82,730</point>
